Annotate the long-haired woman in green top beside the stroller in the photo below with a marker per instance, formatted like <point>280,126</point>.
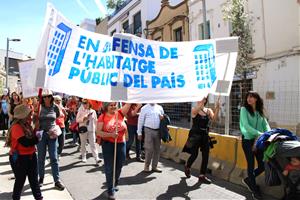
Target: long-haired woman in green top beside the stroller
<point>253,123</point>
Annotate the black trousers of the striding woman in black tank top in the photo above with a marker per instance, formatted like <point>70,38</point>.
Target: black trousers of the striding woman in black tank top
<point>204,147</point>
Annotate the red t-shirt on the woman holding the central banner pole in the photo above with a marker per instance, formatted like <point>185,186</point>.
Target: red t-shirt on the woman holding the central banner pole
<point>109,125</point>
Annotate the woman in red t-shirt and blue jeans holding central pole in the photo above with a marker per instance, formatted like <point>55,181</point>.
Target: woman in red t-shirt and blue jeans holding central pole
<point>106,128</point>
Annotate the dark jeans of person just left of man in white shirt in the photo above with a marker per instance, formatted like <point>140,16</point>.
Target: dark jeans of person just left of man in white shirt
<point>132,134</point>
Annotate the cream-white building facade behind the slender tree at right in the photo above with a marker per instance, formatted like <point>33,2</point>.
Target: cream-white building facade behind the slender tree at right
<point>276,43</point>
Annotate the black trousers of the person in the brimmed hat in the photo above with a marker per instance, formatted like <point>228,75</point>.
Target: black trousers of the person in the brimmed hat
<point>25,166</point>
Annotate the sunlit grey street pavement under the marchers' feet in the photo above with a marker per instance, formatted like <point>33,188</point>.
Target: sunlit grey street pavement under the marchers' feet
<point>87,181</point>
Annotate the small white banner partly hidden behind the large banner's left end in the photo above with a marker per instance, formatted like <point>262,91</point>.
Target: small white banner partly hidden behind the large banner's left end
<point>28,88</point>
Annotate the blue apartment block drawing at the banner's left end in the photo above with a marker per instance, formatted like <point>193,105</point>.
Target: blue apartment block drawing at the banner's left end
<point>57,48</point>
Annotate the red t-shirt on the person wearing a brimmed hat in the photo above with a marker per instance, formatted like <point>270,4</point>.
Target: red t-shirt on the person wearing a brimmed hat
<point>16,133</point>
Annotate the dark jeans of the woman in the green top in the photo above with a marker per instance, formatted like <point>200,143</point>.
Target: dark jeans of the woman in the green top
<point>249,154</point>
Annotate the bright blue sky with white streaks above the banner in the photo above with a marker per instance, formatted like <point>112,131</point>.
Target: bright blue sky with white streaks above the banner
<point>24,19</point>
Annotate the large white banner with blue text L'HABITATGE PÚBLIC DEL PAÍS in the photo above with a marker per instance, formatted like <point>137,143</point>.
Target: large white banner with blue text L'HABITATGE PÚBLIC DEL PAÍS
<point>128,68</point>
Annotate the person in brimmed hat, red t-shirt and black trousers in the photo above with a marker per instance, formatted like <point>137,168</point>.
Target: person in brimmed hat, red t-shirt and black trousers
<point>22,156</point>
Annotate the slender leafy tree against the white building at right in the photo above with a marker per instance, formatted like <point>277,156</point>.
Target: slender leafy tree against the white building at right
<point>234,12</point>
